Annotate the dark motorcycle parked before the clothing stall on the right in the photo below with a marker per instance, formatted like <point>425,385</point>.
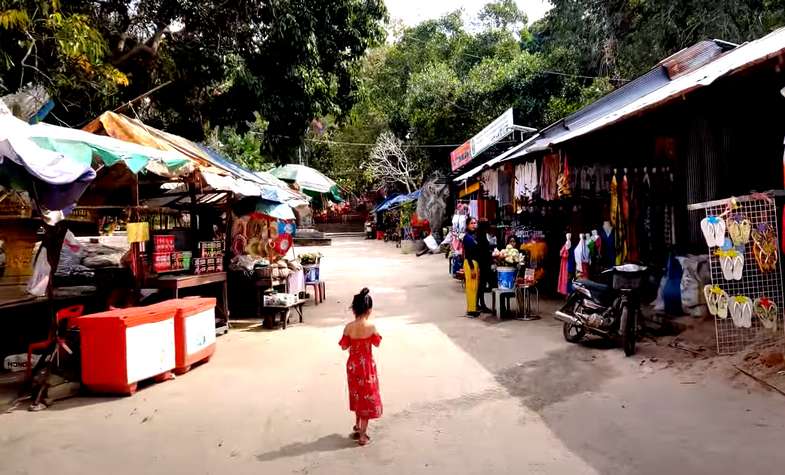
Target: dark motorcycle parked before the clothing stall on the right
<point>609,311</point>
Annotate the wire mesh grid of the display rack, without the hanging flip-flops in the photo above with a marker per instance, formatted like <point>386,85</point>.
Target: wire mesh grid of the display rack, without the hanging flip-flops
<point>758,209</point>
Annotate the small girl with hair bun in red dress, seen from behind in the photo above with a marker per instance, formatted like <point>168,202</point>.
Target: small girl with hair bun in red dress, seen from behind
<point>358,336</point>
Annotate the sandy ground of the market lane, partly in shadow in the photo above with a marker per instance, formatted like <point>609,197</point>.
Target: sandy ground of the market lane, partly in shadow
<point>461,397</point>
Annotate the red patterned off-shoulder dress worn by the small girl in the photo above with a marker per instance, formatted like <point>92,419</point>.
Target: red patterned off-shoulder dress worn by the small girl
<point>364,396</point>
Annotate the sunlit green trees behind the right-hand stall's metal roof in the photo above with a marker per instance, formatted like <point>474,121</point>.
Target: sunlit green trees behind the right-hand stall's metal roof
<point>443,80</point>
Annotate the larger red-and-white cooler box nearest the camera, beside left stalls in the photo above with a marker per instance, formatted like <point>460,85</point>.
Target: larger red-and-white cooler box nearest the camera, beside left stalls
<point>124,346</point>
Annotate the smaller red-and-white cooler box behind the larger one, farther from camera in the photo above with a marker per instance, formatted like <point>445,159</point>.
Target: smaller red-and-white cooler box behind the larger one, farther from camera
<point>194,330</point>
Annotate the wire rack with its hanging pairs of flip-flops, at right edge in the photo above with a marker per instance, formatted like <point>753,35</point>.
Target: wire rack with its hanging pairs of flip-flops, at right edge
<point>746,292</point>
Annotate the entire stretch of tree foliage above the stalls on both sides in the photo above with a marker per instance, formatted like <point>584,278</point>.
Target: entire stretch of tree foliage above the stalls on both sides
<point>252,77</point>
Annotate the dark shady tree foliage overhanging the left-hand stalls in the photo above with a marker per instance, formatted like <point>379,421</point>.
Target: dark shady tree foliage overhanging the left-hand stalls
<point>288,60</point>
